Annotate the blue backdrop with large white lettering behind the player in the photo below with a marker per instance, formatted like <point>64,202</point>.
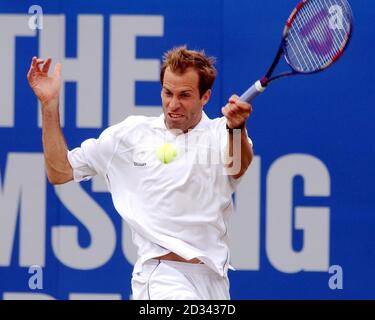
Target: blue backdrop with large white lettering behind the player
<point>110,53</point>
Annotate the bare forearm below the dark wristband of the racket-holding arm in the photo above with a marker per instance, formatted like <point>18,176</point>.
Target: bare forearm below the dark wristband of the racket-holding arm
<point>240,153</point>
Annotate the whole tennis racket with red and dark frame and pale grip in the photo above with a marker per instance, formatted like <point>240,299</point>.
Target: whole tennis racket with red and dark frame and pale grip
<point>315,36</point>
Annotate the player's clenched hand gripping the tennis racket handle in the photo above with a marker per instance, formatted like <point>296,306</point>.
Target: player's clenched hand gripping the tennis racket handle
<point>236,112</point>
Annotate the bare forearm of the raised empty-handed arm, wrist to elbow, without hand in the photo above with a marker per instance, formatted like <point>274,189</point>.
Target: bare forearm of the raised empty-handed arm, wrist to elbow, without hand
<point>55,149</point>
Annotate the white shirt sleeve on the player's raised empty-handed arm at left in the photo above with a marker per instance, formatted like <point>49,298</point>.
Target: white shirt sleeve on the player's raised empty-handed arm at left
<point>94,155</point>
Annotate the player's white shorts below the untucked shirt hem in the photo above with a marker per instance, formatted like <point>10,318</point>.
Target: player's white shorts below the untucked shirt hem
<point>171,280</point>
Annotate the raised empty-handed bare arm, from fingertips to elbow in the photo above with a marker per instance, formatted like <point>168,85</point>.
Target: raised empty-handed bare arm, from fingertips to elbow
<point>47,89</point>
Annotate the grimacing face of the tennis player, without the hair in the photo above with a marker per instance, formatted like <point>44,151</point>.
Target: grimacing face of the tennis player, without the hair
<point>182,104</point>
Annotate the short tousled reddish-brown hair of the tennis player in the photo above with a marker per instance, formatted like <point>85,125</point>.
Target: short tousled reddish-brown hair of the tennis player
<point>180,59</point>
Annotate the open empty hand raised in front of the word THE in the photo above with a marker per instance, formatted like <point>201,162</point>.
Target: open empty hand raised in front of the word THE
<point>46,88</point>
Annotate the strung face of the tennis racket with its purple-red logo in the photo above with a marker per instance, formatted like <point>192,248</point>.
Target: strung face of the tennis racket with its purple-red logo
<point>313,41</point>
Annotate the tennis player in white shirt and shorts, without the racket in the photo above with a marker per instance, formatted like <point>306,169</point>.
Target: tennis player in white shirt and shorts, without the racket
<point>171,177</point>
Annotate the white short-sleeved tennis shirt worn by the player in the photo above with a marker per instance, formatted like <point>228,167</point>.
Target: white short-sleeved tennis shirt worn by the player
<point>182,206</point>
